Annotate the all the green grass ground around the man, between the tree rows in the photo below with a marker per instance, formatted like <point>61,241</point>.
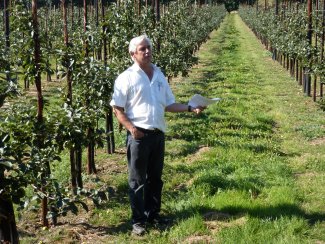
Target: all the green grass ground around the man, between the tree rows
<point>250,169</point>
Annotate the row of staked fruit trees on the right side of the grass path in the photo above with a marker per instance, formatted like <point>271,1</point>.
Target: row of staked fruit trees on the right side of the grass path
<point>294,32</point>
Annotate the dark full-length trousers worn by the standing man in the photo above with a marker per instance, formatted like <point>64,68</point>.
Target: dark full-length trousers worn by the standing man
<point>145,164</point>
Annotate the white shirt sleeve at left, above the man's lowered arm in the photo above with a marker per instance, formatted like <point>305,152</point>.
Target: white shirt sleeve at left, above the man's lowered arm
<point>119,96</point>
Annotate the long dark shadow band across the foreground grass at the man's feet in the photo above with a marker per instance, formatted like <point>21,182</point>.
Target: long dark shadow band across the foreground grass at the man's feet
<point>225,214</point>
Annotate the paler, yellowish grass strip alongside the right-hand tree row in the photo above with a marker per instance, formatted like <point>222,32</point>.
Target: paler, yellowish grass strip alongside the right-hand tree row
<point>299,122</point>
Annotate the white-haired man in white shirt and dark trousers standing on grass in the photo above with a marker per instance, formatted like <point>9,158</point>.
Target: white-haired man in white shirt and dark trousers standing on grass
<point>141,96</point>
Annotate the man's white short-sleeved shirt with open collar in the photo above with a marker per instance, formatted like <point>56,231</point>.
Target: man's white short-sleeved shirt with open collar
<point>144,101</point>
